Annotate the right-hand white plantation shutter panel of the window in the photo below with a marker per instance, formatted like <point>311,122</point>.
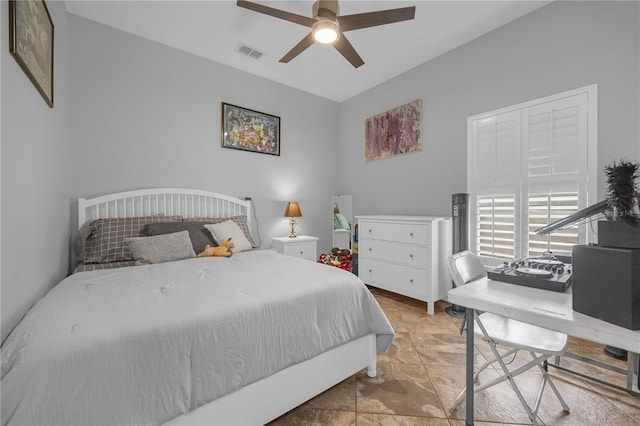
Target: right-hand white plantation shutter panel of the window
<point>554,147</point>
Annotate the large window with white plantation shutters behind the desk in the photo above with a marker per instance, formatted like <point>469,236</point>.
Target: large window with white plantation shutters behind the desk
<point>530,165</point>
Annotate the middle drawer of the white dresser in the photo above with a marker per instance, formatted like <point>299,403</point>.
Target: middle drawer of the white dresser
<point>411,255</point>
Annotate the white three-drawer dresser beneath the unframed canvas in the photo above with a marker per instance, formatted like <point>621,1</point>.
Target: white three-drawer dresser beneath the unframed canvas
<point>406,255</point>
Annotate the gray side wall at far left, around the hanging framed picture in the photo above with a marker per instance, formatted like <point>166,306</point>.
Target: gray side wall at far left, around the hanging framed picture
<point>35,177</point>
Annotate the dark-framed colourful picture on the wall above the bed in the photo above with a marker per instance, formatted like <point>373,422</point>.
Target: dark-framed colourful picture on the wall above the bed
<point>249,130</point>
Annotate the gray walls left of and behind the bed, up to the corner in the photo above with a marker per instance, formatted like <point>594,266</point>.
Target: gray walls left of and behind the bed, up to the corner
<point>130,113</point>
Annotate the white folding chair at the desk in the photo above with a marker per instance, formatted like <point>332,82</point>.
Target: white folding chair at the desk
<point>515,336</point>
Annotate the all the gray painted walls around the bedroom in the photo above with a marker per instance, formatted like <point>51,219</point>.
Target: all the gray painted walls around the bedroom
<point>119,93</point>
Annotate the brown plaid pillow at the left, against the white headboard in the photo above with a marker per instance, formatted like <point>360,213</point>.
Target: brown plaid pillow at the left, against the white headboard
<point>106,242</point>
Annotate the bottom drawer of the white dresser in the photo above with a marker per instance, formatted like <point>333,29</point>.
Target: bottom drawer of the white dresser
<point>411,282</point>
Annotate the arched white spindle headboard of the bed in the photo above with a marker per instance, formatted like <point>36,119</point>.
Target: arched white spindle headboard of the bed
<point>167,201</point>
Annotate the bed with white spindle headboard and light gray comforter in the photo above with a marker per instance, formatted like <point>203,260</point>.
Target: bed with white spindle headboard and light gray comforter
<point>198,340</point>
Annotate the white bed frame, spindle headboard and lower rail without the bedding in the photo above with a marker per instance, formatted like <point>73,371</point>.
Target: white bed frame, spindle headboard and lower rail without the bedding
<point>266,399</point>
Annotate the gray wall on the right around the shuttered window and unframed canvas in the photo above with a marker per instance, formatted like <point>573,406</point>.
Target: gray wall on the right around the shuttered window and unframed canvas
<point>559,47</point>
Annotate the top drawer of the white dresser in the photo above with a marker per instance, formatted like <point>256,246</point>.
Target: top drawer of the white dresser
<point>401,232</point>
